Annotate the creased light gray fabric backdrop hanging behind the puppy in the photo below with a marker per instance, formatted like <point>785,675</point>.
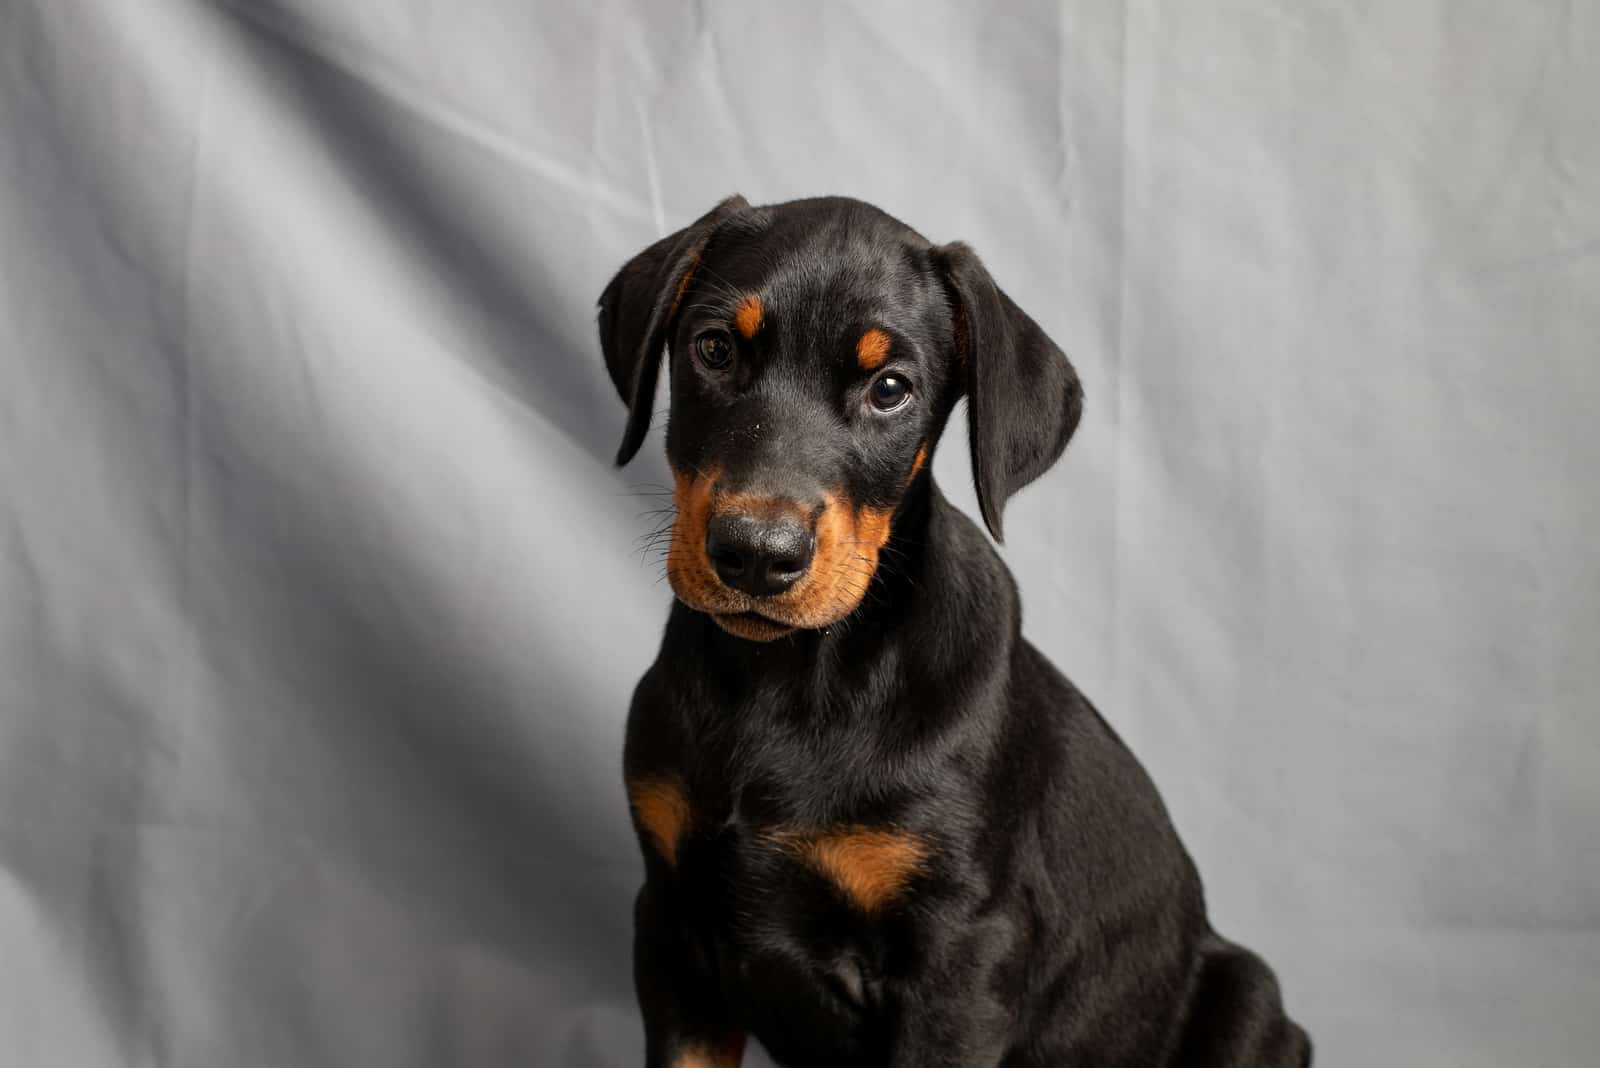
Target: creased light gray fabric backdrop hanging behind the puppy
<point>319,599</point>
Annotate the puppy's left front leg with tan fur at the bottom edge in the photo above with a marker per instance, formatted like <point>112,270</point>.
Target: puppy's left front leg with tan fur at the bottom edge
<point>686,1021</point>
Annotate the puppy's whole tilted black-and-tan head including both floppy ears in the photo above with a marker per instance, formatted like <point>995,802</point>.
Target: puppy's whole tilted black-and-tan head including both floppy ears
<point>817,351</point>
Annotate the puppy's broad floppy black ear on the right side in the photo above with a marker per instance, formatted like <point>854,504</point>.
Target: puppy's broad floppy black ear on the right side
<point>1023,397</point>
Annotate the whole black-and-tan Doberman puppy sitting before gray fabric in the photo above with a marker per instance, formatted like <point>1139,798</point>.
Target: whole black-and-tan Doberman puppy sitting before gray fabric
<point>879,827</point>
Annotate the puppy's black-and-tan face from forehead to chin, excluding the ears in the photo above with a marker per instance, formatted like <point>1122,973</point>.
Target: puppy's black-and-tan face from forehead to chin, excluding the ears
<point>810,378</point>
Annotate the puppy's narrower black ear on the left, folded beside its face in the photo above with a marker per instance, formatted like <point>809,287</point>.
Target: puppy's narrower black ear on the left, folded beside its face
<point>638,308</point>
